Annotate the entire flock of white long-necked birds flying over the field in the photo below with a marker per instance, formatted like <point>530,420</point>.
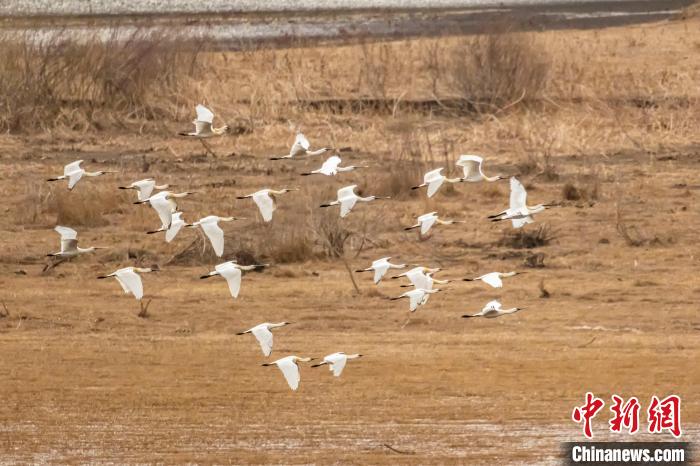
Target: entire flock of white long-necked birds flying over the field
<point>420,278</point>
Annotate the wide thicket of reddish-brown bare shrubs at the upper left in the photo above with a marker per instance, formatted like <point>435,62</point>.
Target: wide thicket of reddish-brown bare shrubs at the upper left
<point>58,80</point>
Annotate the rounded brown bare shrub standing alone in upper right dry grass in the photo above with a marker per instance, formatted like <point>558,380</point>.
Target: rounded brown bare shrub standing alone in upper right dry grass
<point>498,69</point>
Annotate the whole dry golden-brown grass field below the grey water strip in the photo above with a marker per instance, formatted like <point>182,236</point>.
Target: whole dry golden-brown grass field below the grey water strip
<point>605,123</point>
